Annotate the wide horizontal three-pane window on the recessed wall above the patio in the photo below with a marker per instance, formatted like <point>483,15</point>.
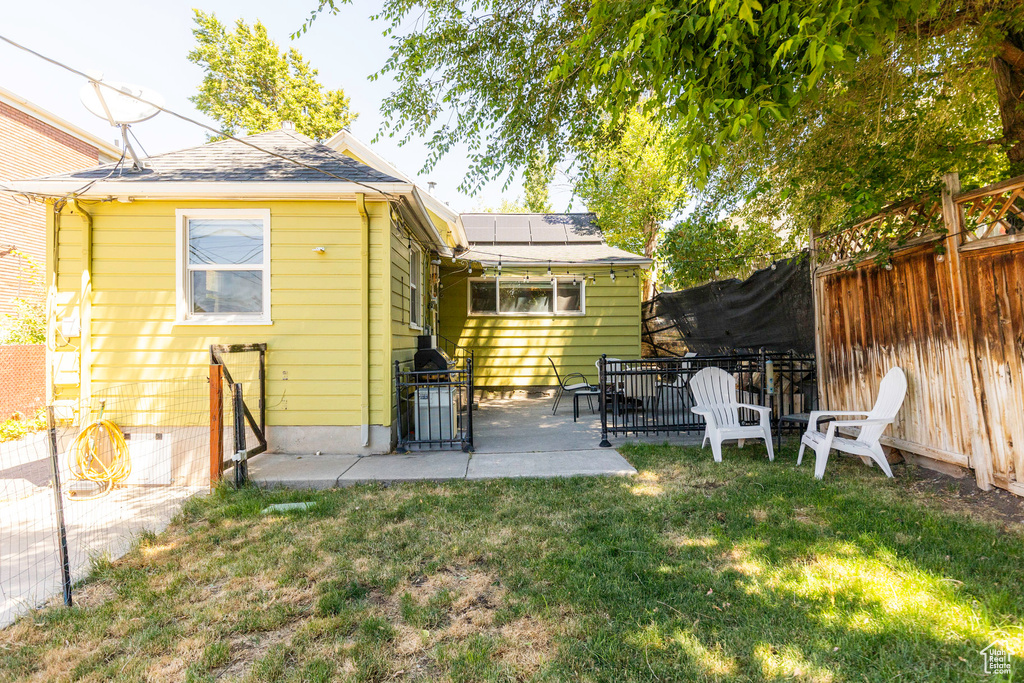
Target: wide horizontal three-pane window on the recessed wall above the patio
<point>506,296</point>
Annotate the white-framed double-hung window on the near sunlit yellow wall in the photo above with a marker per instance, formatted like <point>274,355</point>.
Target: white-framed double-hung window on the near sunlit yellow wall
<point>224,267</point>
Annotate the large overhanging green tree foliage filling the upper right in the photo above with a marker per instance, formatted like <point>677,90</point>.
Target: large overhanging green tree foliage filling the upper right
<point>792,111</point>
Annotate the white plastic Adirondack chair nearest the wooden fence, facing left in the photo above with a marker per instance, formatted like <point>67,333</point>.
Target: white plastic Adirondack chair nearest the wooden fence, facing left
<point>892,392</point>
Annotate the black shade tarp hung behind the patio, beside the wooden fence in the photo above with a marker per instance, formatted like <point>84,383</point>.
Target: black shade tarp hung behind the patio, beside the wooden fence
<point>772,310</point>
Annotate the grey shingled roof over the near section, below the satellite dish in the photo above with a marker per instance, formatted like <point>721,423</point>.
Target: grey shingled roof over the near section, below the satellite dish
<point>231,161</point>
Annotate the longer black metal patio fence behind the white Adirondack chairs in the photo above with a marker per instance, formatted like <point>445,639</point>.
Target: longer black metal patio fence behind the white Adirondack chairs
<point>653,397</point>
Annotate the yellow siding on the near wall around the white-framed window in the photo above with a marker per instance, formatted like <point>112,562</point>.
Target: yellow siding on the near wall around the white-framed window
<point>316,306</point>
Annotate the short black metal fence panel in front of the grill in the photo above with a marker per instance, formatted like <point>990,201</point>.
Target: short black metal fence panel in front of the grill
<point>435,409</point>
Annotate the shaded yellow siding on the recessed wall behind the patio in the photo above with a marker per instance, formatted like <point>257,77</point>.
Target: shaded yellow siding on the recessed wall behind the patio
<point>514,352</point>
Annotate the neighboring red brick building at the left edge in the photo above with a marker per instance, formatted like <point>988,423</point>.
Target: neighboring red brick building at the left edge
<point>34,143</point>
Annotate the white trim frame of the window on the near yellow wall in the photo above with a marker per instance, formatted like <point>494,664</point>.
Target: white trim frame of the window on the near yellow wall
<point>183,317</point>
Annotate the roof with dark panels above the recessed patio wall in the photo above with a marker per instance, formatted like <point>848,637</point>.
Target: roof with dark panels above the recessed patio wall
<point>541,239</point>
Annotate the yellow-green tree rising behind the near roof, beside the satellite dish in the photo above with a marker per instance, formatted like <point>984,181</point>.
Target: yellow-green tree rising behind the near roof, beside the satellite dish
<point>249,87</point>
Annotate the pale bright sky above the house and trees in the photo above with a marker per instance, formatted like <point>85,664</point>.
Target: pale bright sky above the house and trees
<point>146,42</point>
